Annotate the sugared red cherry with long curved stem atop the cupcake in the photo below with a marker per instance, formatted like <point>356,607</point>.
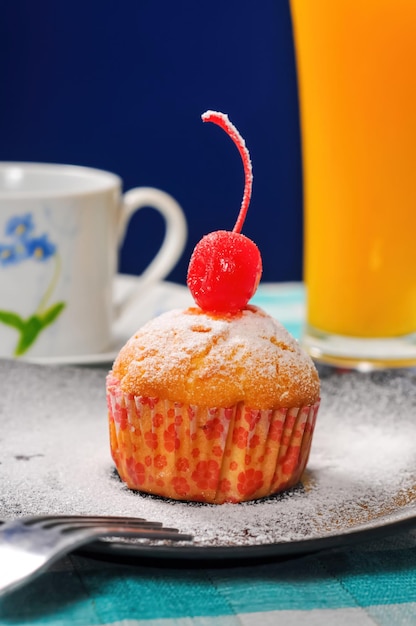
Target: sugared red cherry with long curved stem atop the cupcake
<point>225,267</point>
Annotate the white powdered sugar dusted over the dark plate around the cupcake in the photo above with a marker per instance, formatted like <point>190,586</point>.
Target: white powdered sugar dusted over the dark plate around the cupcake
<point>362,471</point>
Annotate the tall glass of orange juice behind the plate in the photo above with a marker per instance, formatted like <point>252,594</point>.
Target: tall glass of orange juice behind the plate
<point>357,92</point>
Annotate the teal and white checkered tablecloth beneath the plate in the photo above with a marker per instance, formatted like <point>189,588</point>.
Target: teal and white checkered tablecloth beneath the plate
<point>366,584</point>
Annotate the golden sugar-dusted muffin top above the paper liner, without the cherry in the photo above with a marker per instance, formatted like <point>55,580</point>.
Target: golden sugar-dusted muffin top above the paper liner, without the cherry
<point>204,359</point>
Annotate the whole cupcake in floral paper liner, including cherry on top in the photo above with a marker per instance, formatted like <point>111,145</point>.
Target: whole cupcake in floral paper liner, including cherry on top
<point>216,403</point>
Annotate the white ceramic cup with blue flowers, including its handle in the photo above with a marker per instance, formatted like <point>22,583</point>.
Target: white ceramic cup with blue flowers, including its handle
<point>61,227</point>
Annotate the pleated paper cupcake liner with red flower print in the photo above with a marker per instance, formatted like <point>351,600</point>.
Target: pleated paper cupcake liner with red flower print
<point>213,455</point>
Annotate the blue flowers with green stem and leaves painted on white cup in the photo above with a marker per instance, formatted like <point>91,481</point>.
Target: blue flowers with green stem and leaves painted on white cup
<point>22,245</point>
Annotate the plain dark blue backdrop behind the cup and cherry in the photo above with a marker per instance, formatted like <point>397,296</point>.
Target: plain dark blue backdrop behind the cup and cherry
<point>121,85</point>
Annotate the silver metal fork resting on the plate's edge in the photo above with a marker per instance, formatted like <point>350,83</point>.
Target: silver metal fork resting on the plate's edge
<point>29,544</point>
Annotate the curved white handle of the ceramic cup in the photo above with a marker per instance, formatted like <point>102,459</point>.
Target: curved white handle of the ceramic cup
<point>174,240</point>
